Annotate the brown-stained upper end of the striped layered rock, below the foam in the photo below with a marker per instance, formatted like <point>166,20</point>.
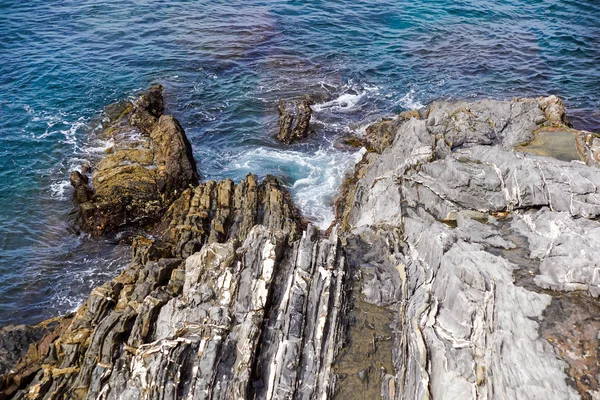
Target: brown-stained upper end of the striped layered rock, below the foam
<point>214,212</point>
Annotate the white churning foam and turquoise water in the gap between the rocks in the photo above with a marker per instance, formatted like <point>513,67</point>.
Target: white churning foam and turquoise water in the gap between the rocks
<point>313,177</point>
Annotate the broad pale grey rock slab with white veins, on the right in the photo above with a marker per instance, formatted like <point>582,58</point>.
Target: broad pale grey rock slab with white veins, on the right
<point>490,238</point>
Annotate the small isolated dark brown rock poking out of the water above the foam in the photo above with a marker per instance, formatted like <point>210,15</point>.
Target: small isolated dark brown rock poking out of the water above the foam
<point>294,120</point>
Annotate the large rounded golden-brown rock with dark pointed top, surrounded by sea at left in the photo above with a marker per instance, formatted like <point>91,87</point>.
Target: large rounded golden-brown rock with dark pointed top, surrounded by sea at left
<point>150,164</point>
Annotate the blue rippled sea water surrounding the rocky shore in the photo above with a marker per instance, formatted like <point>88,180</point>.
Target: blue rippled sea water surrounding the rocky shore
<point>224,64</point>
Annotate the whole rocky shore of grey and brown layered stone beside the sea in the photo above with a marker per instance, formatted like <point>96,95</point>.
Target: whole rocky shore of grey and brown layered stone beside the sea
<point>463,263</point>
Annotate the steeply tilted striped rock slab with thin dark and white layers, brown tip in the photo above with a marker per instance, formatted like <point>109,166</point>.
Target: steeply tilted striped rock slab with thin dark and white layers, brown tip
<point>236,297</point>
